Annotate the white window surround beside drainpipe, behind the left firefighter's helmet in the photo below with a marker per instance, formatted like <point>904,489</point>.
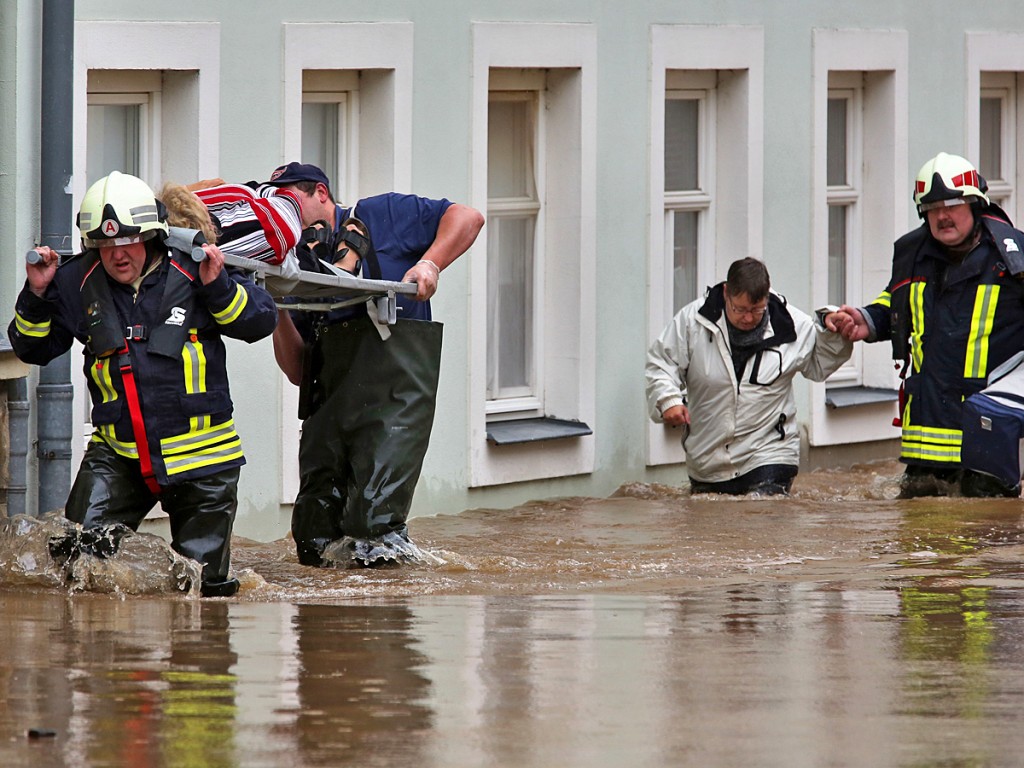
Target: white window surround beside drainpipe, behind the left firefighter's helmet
<point>185,148</point>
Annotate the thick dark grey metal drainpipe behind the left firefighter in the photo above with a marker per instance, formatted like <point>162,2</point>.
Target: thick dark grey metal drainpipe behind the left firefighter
<point>54,394</point>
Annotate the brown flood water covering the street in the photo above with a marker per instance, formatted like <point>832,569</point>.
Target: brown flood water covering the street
<point>839,627</point>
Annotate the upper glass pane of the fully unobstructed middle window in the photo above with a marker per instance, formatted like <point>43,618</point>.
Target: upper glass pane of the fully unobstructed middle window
<point>510,150</point>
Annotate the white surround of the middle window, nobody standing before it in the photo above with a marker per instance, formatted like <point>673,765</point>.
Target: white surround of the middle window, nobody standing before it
<point>569,54</point>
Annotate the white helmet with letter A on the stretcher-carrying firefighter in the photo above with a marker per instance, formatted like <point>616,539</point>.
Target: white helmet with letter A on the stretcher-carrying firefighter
<point>119,210</point>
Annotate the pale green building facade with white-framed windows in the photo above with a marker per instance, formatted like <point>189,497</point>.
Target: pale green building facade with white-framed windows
<point>624,155</point>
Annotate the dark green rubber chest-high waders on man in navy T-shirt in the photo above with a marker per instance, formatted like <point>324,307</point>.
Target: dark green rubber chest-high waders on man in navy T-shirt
<point>363,447</point>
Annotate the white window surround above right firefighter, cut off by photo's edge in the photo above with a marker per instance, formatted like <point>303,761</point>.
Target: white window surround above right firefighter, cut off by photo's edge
<point>997,60</point>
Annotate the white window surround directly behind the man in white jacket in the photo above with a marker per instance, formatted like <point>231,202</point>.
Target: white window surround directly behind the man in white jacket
<point>732,62</point>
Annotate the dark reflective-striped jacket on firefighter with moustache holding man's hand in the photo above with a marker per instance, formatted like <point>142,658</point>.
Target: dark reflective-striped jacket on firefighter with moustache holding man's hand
<point>951,324</point>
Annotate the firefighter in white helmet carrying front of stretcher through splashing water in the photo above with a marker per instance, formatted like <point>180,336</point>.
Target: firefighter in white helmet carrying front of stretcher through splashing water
<point>152,319</point>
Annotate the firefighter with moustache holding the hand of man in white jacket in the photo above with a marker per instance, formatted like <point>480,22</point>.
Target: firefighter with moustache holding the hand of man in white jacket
<point>954,311</point>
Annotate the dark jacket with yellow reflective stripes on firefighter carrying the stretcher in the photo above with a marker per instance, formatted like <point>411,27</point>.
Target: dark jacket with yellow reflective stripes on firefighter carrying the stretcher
<point>175,325</point>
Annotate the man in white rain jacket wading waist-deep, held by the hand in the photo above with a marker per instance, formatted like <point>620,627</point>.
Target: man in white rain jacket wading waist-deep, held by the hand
<point>723,370</point>
